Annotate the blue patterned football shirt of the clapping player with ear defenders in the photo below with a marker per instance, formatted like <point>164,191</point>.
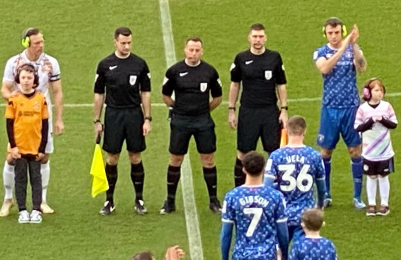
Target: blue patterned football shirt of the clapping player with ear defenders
<point>339,85</point>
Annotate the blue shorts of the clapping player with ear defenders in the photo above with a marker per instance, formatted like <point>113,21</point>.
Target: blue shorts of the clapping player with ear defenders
<point>334,121</point>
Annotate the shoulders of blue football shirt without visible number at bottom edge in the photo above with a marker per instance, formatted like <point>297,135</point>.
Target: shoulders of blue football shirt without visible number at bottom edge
<point>308,248</point>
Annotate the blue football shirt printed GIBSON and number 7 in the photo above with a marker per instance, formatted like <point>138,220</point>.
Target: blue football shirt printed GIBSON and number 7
<point>254,210</point>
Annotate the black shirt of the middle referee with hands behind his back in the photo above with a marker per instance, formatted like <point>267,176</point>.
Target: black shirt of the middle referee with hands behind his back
<point>192,86</point>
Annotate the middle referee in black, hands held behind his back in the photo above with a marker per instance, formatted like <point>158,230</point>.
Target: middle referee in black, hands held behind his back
<point>192,81</point>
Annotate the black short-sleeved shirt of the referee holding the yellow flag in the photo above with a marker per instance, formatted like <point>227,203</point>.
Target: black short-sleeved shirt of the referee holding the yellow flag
<point>122,80</point>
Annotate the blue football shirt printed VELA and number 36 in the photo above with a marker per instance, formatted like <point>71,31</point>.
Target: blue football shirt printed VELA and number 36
<point>295,170</point>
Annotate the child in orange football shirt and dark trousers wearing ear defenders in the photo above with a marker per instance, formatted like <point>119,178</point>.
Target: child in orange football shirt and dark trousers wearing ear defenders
<point>27,130</point>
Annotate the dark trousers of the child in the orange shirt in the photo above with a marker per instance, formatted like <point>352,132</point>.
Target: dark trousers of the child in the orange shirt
<point>21,180</point>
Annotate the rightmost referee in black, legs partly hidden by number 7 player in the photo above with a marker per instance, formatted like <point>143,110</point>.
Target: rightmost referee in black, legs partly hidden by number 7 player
<point>261,72</point>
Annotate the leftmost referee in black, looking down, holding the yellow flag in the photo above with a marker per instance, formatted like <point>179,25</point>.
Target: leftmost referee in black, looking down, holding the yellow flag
<point>123,83</point>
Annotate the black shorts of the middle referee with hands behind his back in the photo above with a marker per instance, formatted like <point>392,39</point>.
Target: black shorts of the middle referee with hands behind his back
<point>183,127</point>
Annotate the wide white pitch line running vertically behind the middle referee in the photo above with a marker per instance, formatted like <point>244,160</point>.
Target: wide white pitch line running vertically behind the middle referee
<point>191,215</point>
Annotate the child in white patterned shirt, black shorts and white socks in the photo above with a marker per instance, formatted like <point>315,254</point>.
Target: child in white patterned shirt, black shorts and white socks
<point>374,119</point>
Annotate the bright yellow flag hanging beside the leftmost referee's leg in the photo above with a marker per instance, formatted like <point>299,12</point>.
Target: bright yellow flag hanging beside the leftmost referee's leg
<point>99,183</point>
